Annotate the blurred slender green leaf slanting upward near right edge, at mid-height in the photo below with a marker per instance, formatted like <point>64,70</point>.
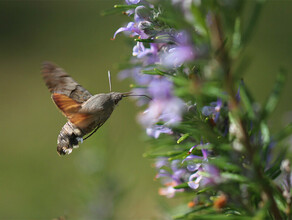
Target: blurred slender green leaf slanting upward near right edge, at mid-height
<point>273,99</point>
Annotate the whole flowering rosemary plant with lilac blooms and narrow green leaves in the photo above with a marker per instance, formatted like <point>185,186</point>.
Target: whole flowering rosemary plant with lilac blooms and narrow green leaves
<point>206,137</point>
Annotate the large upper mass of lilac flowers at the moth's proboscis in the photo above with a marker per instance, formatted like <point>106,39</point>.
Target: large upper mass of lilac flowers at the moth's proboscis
<point>166,48</point>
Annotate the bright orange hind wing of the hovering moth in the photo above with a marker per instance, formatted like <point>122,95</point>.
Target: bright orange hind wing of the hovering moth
<point>71,109</point>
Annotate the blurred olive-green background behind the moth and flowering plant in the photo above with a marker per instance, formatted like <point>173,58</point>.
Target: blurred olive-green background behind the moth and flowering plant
<point>107,177</point>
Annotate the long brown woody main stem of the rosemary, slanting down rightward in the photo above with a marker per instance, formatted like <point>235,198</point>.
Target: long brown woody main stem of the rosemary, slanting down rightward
<point>222,56</point>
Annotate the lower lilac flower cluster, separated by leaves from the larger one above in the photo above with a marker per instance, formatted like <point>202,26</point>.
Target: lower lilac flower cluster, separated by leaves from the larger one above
<point>193,170</point>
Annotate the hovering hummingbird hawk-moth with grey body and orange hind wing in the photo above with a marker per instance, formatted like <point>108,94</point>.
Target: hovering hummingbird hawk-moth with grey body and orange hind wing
<point>85,112</point>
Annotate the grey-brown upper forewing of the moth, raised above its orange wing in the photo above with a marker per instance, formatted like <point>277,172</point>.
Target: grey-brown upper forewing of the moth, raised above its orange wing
<point>58,81</point>
